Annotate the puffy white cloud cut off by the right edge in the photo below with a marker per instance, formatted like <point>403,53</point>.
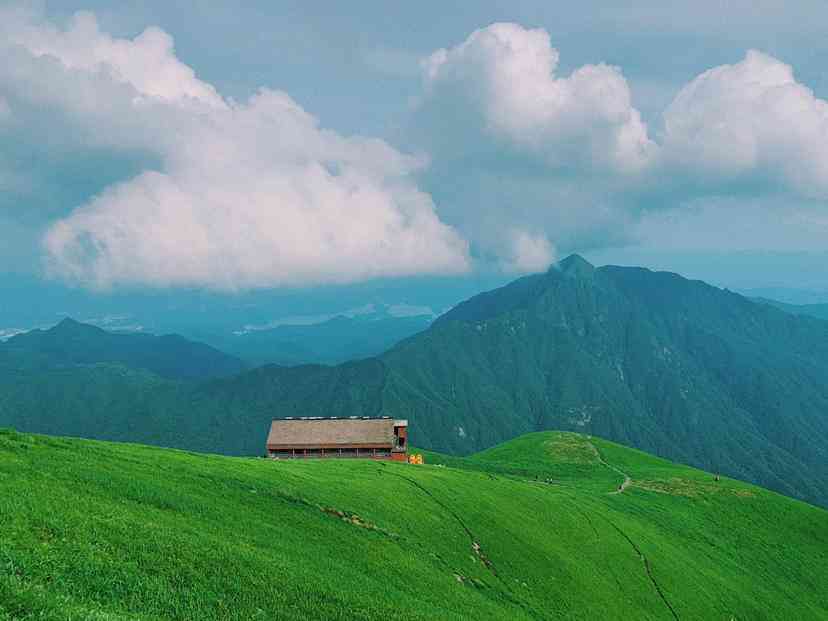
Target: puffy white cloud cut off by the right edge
<point>746,120</point>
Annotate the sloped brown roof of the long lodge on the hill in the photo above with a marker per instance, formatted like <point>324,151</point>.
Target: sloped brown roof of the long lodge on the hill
<point>331,432</point>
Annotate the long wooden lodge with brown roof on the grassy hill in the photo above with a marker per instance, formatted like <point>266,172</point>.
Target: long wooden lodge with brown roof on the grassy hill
<point>317,437</point>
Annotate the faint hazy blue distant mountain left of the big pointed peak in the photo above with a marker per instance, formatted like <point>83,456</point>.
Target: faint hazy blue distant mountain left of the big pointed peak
<point>329,342</point>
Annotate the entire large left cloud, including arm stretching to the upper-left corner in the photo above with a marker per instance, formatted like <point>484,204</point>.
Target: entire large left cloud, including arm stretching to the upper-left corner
<point>246,195</point>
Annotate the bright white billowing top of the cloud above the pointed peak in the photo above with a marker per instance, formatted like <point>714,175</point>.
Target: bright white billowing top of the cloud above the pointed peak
<point>502,78</point>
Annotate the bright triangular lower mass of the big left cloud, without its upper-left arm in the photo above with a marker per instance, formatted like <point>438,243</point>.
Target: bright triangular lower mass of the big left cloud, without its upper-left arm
<point>260,196</point>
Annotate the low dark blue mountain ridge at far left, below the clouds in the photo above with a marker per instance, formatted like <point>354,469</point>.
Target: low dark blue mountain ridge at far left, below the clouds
<point>71,343</point>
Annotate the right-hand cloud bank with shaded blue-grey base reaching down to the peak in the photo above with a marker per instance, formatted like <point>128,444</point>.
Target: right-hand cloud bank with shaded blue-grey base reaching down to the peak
<point>569,161</point>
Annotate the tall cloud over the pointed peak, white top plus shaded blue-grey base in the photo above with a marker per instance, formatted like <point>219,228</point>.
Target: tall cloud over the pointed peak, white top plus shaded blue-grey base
<point>523,158</point>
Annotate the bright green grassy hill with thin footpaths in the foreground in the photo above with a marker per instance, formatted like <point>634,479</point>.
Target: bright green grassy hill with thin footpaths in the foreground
<point>532,529</point>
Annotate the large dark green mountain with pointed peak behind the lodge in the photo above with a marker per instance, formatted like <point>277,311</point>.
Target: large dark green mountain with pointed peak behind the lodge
<point>676,367</point>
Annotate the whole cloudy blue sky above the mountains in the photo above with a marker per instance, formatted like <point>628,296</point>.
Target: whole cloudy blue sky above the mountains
<point>320,149</point>
